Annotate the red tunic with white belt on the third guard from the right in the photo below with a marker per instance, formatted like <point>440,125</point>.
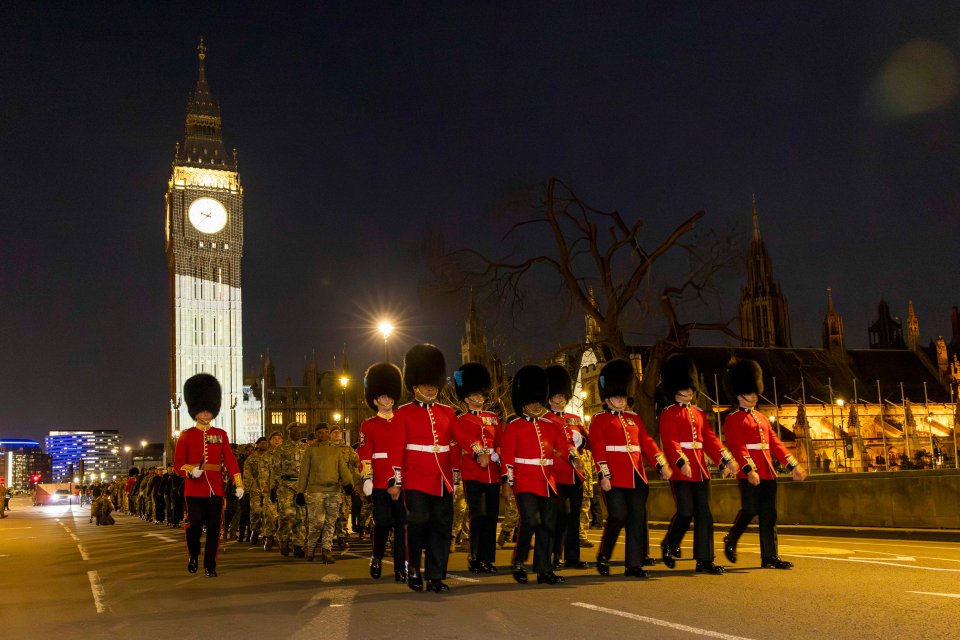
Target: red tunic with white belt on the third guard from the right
<point>616,440</point>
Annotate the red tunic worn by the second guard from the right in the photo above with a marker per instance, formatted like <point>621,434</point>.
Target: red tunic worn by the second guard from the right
<point>685,433</point>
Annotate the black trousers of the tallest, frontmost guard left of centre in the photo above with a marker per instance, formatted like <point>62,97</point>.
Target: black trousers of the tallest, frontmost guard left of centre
<point>429,524</point>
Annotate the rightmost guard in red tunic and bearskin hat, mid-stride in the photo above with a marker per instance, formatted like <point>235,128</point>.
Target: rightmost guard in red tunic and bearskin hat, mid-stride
<point>752,441</point>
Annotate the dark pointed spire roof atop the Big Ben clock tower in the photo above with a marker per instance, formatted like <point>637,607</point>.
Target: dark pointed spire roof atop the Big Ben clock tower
<point>202,139</point>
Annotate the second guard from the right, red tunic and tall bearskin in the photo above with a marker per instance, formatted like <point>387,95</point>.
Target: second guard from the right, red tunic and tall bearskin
<point>687,440</point>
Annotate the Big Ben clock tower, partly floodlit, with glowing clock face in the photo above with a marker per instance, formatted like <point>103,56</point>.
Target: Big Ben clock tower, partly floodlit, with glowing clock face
<point>204,236</point>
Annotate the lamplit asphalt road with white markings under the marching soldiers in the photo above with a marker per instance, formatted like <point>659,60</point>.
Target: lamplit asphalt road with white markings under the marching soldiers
<point>64,576</point>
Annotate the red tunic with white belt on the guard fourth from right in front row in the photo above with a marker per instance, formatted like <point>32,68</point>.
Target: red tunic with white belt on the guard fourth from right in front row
<point>527,453</point>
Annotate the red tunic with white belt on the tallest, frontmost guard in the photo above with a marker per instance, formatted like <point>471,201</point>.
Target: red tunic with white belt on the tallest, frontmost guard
<point>421,446</point>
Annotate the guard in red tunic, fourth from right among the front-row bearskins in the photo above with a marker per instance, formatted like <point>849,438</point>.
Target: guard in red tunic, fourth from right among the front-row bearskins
<point>528,449</point>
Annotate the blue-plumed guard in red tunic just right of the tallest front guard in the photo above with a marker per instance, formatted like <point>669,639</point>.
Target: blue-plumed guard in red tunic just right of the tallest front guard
<point>477,433</point>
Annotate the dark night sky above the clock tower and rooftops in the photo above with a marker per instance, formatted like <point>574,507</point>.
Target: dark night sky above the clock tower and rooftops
<point>361,127</point>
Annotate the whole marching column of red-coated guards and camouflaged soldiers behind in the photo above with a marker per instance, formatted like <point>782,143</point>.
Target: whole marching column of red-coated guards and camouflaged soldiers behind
<point>542,467</point>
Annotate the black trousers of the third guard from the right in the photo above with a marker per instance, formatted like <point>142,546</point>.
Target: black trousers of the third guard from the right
<point>626,508</point>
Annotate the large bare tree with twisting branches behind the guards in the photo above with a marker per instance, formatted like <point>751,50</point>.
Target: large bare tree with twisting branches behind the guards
<point>606,265</point>
